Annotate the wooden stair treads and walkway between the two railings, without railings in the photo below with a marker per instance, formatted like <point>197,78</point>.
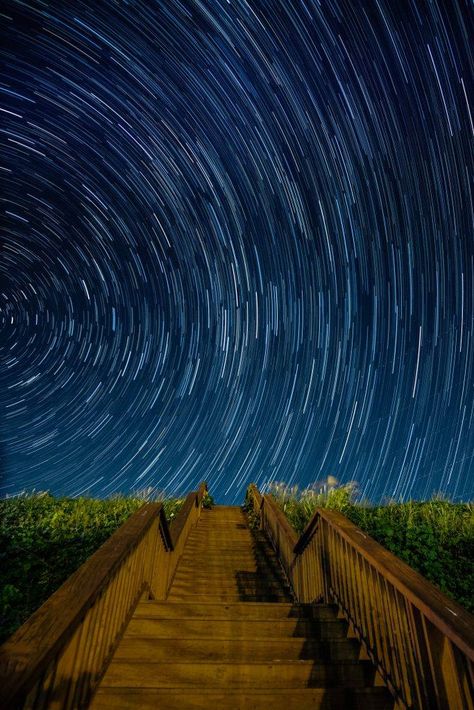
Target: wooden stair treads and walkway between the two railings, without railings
<point>229,635</point>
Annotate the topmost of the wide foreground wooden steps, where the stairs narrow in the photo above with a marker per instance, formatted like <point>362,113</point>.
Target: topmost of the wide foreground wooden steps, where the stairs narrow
<point>246,610</point>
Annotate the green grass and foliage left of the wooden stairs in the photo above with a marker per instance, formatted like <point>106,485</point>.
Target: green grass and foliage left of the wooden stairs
<point>44,539</point>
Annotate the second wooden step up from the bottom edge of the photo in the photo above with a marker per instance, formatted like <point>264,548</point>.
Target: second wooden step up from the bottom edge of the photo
<point>260,674</point>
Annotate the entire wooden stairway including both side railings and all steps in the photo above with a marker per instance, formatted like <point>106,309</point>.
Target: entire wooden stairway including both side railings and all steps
<point>209,612</point>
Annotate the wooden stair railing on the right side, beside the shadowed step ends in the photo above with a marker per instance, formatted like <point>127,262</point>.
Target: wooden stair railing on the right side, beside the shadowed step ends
<point>421,642</point>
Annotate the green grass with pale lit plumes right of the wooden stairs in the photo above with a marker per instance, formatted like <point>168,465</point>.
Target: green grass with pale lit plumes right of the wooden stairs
<point>435,537</point>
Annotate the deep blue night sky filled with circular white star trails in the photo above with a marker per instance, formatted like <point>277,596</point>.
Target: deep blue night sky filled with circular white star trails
<point>237,245</point>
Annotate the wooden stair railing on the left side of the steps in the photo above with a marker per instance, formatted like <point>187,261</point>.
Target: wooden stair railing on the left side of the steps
<point>57,658</point>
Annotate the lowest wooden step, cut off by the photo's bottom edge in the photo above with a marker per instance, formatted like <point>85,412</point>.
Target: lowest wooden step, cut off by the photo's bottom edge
<point>250,699</point>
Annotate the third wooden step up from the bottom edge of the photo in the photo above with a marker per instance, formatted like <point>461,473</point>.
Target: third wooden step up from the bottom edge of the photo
<point>235,648</point>
